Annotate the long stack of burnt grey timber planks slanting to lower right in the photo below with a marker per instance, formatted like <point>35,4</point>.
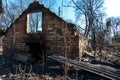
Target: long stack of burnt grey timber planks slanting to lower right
<point>105,72</point>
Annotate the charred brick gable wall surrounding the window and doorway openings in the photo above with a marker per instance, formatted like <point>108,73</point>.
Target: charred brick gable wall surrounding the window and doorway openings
<point>58,34</point>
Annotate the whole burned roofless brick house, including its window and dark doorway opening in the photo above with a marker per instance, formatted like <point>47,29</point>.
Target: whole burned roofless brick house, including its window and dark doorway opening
<point>39,31</point>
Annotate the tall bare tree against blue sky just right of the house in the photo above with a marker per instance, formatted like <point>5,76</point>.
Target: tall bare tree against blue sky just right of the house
<point>91,12</point>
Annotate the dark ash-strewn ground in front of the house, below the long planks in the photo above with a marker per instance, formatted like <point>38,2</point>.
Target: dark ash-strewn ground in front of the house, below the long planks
<point>51,70</point>
